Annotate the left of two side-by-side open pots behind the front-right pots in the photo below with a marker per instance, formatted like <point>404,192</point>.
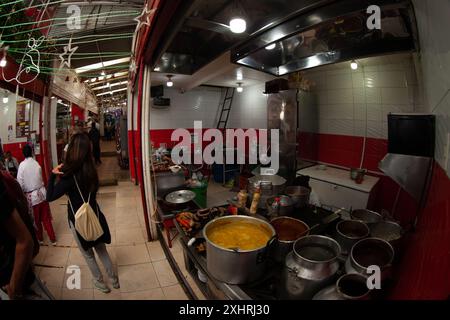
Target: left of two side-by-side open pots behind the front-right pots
<point>349,232</point>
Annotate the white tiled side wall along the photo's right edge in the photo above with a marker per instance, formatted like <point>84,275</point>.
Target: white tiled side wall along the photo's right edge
<point>434,73</point>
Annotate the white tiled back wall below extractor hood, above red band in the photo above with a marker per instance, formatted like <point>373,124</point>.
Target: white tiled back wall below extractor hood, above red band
<point>349,99</point>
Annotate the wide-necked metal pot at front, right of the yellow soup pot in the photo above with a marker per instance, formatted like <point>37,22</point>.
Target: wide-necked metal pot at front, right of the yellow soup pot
<point>310,267</point>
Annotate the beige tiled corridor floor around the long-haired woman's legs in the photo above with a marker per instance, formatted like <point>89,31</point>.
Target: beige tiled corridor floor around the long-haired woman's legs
<point>144,272</point>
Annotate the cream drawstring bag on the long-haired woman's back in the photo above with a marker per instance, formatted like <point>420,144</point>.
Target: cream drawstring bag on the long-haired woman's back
<point>87,223</point>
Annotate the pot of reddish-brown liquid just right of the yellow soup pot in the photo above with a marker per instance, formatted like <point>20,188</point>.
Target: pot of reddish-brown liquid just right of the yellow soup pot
<point>288,231</point>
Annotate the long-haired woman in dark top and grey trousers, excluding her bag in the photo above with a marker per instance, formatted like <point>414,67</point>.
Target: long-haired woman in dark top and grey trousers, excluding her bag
<point>79,180</point>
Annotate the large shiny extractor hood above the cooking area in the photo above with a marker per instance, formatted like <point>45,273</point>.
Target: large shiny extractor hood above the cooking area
<point>330,32</point>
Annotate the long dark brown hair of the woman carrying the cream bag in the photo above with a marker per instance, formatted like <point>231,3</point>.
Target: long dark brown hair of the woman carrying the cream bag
<point>80,163</point>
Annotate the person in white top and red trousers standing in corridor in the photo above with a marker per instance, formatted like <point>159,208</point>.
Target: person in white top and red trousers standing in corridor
<point>30,179</point>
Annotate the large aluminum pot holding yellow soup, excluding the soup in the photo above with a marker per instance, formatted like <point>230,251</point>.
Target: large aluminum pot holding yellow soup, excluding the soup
<point>236,266</point>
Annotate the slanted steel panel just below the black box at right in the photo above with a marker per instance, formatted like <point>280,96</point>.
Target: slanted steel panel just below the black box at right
<point>410,172</point>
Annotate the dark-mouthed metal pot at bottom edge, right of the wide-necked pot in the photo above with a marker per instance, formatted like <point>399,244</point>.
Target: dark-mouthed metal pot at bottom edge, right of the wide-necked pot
<point>348,287</point>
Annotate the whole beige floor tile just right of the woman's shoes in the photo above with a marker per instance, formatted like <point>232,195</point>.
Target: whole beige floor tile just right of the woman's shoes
<point>137,277</point>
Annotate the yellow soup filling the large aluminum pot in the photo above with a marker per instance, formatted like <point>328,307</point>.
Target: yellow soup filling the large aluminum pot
<point>240,235</point>
